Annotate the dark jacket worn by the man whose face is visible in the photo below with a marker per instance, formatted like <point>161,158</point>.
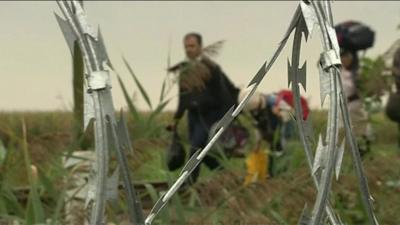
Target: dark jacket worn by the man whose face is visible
<point>218,92</point>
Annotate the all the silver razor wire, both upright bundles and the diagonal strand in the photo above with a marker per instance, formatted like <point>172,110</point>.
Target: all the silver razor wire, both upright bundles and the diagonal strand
<point>328,157</point>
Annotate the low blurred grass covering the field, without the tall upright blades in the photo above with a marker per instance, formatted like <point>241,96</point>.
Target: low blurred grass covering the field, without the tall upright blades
<point>218,197</point>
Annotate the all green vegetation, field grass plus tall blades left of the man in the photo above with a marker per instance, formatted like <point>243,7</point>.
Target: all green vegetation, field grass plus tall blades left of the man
<point>33,181</point>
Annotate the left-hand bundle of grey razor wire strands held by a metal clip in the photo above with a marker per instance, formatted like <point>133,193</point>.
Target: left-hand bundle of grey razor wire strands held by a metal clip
<point>98,106</point>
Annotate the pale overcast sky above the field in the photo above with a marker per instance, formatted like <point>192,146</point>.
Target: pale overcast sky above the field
<point>35,61</point>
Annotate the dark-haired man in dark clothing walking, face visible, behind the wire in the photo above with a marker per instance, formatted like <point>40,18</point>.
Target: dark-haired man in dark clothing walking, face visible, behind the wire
<point>205,93</point>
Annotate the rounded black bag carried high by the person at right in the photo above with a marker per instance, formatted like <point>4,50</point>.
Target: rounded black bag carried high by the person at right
<point>354,36</point>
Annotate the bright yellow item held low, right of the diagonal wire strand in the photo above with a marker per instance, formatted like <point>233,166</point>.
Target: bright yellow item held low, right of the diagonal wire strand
<point>257,163</point>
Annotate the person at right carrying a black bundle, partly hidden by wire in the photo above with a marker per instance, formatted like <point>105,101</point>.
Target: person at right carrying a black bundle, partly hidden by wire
<point>354,37</point>
